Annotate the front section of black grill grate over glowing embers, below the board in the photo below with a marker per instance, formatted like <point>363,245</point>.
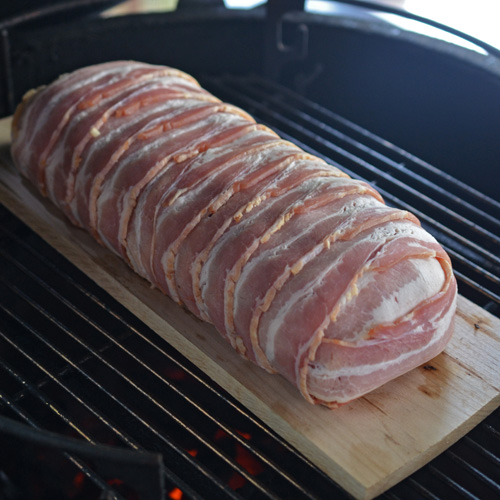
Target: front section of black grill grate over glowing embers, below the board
<point>103,382</point>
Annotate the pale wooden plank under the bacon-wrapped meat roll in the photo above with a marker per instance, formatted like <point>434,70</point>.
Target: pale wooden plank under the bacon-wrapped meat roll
<point>366,446</point>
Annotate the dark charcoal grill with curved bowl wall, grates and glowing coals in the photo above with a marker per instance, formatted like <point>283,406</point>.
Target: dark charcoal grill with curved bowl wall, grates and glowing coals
<point>77,368</point>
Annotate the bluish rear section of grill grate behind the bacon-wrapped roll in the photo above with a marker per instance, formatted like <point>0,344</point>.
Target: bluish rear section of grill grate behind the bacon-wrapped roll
<point>466,222</point>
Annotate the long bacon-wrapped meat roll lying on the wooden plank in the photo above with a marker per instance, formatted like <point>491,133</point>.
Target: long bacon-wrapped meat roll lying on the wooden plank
<point>305,271</point>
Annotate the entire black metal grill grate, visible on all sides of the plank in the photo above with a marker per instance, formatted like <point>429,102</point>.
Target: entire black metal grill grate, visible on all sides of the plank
<point>75,362</point>
